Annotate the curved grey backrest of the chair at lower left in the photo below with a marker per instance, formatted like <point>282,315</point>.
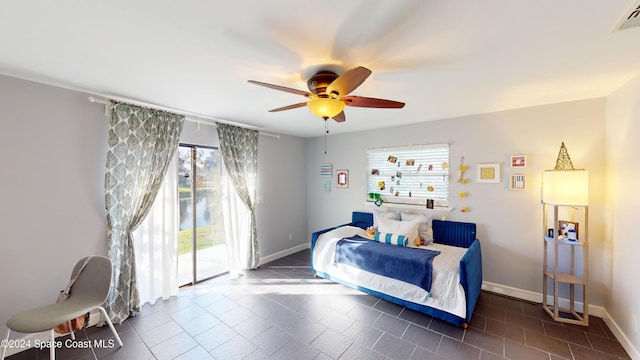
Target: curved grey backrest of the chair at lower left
<point>94,281</point>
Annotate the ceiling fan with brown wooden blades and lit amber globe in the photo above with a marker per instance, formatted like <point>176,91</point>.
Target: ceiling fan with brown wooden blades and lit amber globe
<point>328,93</point>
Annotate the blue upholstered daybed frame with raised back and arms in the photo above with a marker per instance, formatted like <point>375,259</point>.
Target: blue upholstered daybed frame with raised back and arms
<point>453,233</point>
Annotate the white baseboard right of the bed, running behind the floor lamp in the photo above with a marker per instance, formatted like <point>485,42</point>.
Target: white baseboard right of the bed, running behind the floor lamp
<point>594,310</point>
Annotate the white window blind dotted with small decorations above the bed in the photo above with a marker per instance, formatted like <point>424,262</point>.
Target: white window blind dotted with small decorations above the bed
<point>410,175</point>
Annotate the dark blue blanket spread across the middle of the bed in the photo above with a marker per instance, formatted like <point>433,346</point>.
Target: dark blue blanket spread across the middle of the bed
<point>397,262</point>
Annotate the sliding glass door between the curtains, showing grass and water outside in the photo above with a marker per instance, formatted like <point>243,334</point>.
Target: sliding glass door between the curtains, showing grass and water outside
<point>202,252</point>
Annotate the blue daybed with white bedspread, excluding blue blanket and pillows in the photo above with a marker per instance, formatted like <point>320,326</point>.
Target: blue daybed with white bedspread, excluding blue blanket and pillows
<point>456,274</point>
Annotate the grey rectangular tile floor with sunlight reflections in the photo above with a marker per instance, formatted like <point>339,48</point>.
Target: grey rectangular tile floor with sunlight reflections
<point>281,312</point>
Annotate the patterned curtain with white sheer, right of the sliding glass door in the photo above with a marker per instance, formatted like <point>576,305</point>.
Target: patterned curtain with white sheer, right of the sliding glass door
<point>239,149</point>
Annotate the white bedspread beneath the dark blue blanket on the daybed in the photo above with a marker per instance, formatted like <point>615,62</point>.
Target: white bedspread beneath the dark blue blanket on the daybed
<point>447,292</point>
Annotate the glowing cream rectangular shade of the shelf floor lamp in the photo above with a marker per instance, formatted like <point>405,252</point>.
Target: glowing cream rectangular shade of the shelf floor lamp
<point>565,187</point>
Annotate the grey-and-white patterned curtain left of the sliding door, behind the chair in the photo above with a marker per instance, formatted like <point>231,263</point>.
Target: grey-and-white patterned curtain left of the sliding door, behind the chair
<point>142,142</point>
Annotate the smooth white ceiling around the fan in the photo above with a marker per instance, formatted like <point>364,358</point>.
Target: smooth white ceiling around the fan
<point>443,58</point>
